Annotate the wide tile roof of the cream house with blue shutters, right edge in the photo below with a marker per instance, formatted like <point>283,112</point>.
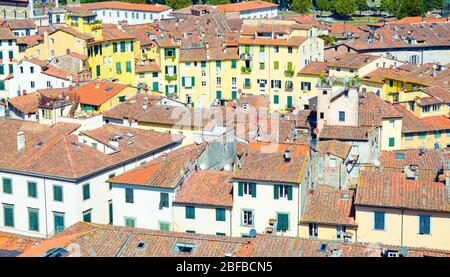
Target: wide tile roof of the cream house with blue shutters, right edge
<point>380,188</point>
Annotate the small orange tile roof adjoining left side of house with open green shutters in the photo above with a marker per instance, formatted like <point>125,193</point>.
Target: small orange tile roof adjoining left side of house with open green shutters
<point>207,187</point>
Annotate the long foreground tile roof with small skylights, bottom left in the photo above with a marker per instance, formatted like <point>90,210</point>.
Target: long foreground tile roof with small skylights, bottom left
<point>97,240</point>
